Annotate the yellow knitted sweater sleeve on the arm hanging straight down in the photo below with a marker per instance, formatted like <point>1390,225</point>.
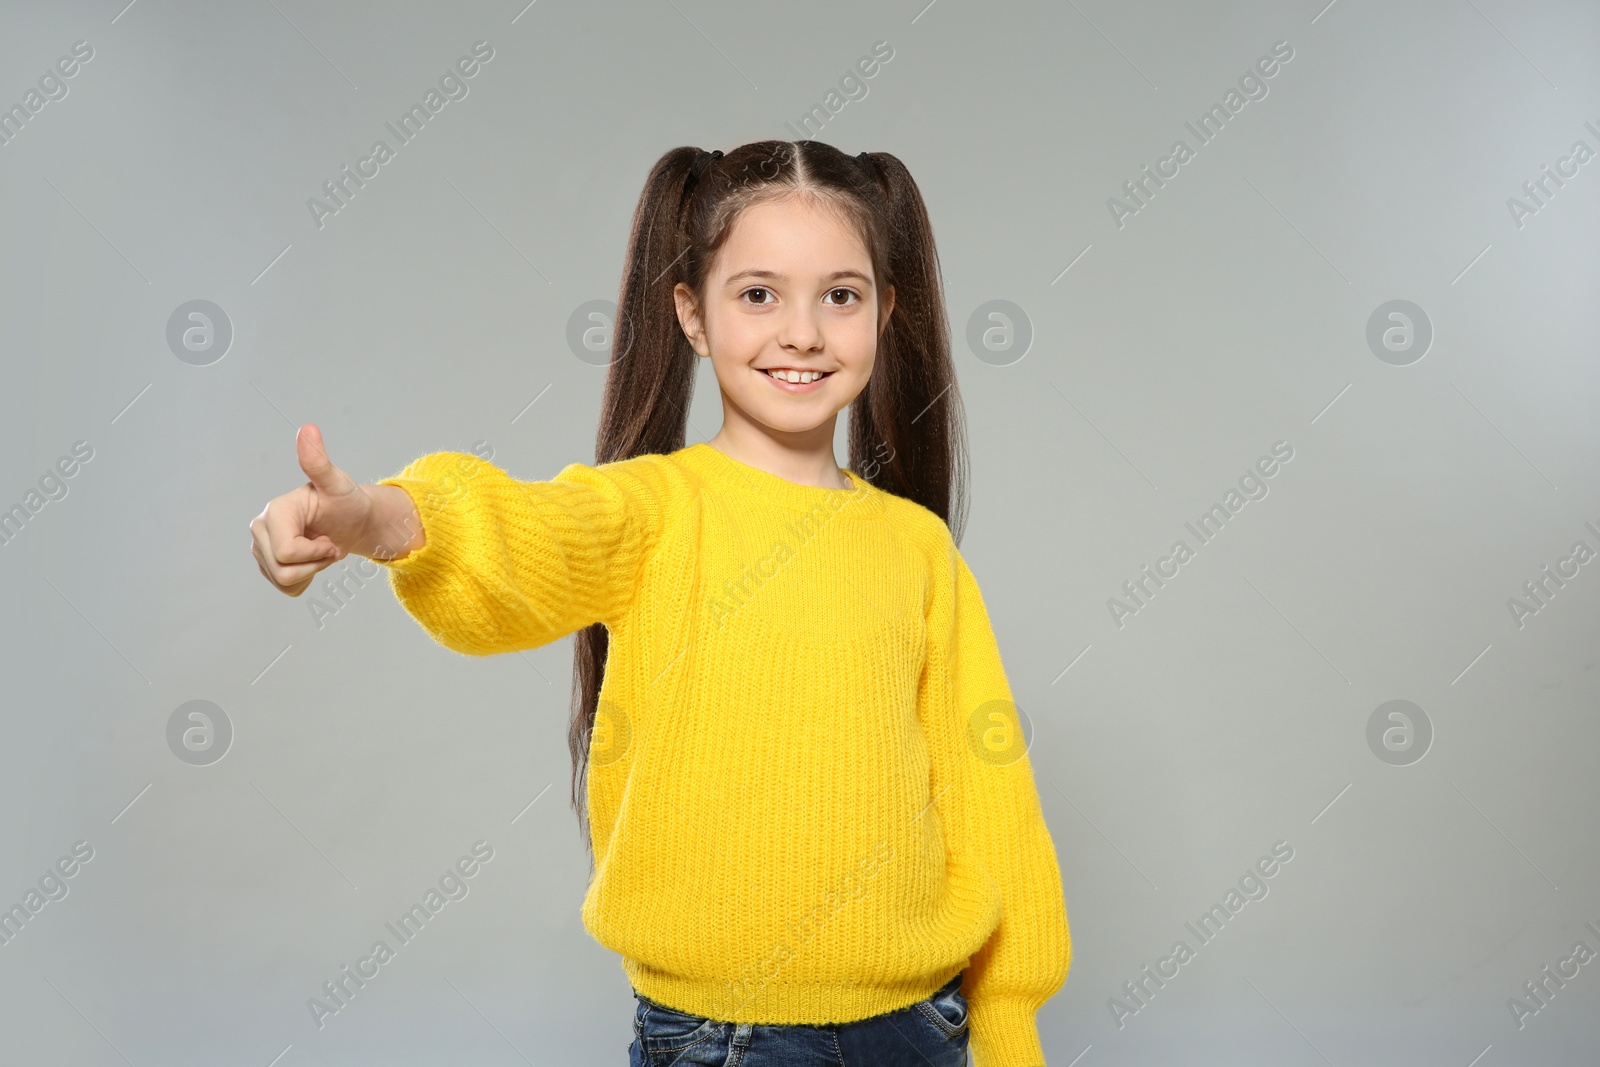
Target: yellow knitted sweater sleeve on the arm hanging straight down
<point>998,821</point>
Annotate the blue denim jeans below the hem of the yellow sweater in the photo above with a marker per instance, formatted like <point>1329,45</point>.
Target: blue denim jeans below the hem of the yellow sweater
<point>927,1034</point>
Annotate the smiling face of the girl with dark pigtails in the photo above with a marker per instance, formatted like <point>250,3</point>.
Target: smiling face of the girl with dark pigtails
<point>791,290</point>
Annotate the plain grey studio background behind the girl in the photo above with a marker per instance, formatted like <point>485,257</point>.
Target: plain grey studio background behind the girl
<point>1226,316</point>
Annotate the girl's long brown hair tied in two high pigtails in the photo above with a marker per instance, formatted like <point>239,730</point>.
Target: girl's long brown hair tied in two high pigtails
<point>908,433</point>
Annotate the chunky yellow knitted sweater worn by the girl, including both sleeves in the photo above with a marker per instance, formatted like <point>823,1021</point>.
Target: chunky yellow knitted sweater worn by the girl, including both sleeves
<point>809,793</point>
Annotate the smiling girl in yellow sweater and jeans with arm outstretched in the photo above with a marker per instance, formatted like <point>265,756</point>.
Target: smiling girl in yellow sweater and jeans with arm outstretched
<point>812,817</point>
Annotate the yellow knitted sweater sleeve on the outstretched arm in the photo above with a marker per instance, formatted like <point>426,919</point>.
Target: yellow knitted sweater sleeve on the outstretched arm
<point>510,565</point>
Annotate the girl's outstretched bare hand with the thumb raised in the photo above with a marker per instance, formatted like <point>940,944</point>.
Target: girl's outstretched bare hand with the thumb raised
<point>313,527</point>
